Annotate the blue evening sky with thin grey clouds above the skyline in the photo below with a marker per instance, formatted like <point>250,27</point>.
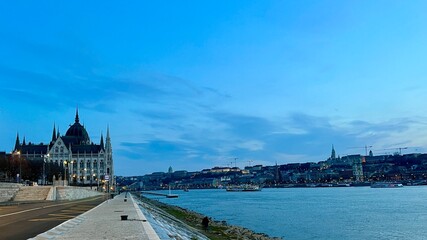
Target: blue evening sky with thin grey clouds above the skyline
<point>199,84</point>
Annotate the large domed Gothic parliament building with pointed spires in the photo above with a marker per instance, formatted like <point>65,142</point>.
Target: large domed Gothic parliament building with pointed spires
<point>84,160</point>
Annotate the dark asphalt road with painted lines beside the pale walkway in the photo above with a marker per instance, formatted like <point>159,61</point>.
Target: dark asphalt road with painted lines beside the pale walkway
<point>24,221</point>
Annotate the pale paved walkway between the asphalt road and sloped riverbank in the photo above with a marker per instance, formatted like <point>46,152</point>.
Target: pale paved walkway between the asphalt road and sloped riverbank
<point>104,222</point>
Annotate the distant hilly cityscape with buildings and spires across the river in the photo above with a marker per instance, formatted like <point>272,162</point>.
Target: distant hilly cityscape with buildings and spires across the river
<point>350,170</point>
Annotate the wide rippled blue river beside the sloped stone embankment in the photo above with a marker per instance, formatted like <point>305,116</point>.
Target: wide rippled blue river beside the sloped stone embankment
<point>317,213</point>
